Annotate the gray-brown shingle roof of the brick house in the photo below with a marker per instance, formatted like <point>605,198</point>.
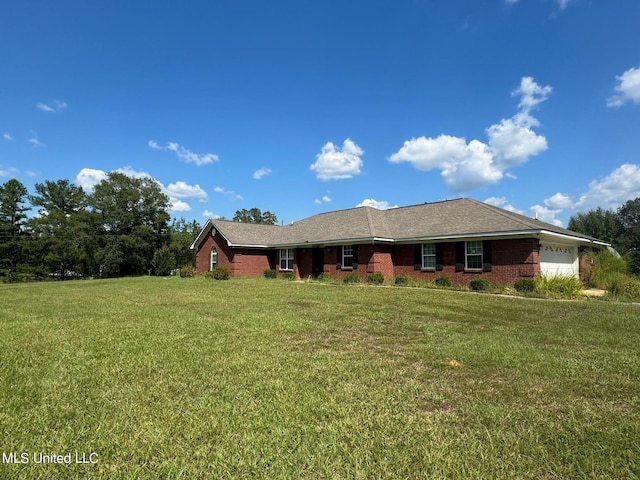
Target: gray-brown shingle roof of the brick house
<point>438,220</point>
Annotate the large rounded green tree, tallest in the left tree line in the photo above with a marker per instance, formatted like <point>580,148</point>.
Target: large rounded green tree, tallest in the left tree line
<point>132,217</point>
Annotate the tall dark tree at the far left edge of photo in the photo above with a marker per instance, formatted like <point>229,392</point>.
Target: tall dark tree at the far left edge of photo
<point>13,208</point>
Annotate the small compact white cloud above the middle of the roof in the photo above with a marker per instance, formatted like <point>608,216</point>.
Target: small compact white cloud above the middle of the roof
<point>334,163</point>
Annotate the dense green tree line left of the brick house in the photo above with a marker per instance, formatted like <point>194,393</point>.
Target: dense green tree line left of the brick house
<point>121,228</point>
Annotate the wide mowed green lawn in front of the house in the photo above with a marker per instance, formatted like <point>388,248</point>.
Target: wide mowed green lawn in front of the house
<point>194,378</point>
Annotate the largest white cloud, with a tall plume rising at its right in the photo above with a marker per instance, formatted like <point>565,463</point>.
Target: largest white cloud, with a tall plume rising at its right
<point>470,166</point>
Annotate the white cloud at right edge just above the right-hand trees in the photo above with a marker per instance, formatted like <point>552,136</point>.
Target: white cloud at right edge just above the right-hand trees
<point>617,188</point>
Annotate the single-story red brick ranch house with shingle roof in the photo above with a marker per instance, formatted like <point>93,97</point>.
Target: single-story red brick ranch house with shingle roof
<point>462,239</point>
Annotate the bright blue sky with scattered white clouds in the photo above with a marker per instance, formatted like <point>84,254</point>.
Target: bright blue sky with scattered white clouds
<point>300,106</point>
